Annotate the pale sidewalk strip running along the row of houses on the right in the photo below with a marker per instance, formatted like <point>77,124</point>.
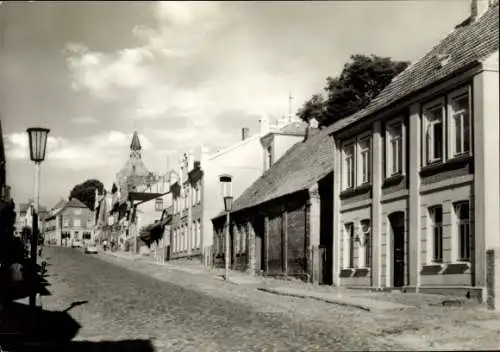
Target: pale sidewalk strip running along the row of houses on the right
<point>360,299</point>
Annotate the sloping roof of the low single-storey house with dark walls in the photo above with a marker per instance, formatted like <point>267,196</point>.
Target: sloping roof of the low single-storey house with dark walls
<point>302,165</point>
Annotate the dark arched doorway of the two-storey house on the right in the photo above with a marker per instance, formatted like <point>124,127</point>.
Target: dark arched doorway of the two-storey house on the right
<point>397,221</point>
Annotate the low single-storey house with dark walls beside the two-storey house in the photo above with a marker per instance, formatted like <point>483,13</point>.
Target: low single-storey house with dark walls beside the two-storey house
<point>281,224</point>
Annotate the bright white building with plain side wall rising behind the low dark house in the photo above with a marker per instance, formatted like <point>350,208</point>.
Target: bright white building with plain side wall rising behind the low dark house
<point>199,199</point>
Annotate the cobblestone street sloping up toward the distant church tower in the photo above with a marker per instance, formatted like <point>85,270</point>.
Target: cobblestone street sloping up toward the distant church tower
<point>181,312</point>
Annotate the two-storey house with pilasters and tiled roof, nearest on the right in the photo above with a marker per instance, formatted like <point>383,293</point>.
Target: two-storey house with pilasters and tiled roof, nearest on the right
<point>416,186</point>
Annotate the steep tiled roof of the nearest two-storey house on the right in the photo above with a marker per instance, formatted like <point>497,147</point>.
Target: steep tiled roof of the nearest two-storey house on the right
<point>466,45</point>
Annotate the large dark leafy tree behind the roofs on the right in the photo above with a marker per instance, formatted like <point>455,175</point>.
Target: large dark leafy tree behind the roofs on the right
<point>361,80</point>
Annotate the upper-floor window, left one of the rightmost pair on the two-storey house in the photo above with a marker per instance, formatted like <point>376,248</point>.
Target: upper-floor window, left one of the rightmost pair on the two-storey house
<point>434,133</point>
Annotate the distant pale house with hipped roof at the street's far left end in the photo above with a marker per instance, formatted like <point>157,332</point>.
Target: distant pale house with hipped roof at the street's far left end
<point>69,222</point>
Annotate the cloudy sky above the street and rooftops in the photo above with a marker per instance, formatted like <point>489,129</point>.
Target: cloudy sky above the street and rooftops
<point>183,74</point>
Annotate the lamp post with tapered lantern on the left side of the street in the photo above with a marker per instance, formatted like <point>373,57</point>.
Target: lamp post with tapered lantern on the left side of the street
<point>38,143</point>
